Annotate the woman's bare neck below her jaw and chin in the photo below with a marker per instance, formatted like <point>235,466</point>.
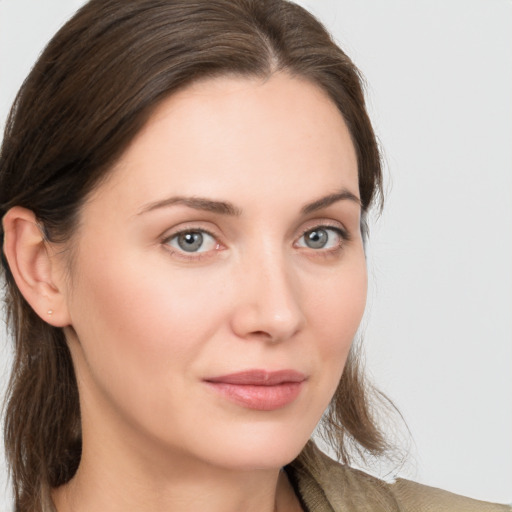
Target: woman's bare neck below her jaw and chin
<point>115,477</point>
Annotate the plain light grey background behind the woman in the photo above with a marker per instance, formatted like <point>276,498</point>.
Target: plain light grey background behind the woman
<point>438,330</point>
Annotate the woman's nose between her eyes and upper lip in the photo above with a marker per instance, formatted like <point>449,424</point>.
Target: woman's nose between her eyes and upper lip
<point>268,301</point>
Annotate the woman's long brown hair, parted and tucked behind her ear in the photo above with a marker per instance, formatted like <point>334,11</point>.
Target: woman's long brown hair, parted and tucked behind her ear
<point>89,94</point>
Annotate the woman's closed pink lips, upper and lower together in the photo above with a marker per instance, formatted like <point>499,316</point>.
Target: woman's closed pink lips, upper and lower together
<point>259,389</point>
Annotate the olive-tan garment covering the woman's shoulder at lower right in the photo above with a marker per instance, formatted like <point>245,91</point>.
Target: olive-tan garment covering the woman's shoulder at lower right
<point>327,486</point>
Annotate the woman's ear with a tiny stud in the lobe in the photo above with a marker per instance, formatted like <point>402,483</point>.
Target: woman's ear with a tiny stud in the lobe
<point>35,267</point>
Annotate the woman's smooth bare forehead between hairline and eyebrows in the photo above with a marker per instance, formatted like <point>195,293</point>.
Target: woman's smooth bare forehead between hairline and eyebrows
<point>231,135</point>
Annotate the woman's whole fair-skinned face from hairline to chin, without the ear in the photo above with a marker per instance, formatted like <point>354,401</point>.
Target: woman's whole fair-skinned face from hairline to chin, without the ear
<point>218,277</point>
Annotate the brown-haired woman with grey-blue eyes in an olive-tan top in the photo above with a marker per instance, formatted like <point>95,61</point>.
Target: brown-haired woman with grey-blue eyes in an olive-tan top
<point>184,187</point>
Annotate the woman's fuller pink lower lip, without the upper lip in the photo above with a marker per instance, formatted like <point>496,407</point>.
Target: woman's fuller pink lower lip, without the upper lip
<point>261,398</point>
